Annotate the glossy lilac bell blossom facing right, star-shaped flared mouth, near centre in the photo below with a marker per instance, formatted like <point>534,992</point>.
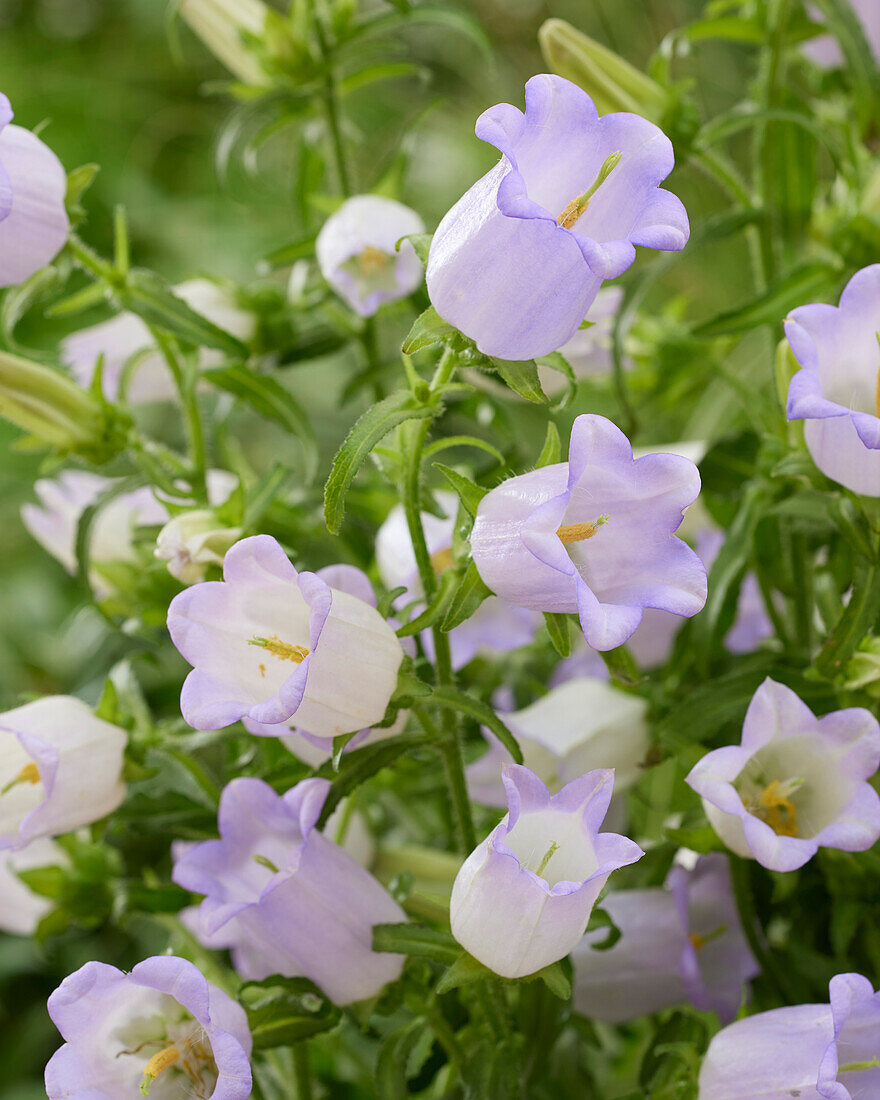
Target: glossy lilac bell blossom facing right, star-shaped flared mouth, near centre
<point>595,535</point>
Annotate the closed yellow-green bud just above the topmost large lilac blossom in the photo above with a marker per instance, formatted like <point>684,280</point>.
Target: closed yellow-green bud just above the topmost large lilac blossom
<point>612,83</point>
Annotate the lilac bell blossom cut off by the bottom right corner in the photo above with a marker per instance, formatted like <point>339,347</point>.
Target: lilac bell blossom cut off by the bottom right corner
<point>816,1052</point>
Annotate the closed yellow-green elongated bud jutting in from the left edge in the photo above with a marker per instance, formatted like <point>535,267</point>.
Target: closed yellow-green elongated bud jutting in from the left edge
<point>58,412</point>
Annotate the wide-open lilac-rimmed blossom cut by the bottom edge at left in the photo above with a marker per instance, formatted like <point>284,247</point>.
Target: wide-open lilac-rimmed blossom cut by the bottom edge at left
<point>162,1031</point>
